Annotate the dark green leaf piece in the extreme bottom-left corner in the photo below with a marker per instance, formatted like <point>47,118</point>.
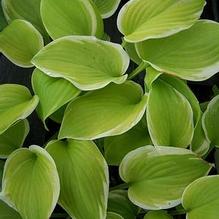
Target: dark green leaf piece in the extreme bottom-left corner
<point>7,212</point>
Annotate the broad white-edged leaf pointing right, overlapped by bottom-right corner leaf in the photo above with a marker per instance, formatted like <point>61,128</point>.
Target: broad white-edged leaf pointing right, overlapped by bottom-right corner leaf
<point>157,176</point>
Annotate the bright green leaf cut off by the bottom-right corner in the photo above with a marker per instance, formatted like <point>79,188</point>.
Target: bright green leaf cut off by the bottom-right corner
<point>201,198</point>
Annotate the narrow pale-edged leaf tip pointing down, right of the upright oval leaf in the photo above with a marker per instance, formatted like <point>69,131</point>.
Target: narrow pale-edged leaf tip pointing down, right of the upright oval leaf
<point>200,144</point>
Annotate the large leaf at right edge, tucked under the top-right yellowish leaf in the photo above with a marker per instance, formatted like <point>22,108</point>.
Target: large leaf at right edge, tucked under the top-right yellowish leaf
<point>183,55</point>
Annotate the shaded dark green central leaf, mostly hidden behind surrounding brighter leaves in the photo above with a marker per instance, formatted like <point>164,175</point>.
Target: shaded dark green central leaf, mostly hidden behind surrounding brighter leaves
<point>116,147</point>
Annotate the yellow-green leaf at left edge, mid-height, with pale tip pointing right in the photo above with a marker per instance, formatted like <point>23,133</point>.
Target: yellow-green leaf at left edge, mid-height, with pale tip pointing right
<point>16,103</point>
